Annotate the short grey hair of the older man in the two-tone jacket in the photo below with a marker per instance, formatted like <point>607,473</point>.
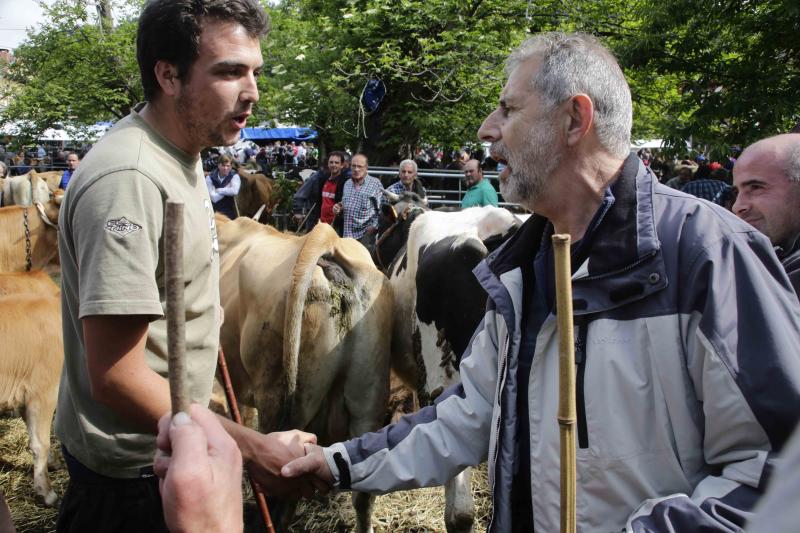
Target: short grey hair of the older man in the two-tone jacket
<point>578,63</point>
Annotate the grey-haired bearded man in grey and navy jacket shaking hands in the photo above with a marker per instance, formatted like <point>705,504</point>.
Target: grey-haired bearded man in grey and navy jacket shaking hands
<point>686,335</point>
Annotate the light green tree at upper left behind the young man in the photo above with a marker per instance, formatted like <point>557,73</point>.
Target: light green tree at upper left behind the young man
<point>72,71</point>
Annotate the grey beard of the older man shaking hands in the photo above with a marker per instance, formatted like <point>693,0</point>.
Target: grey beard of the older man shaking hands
<point>529,174</point>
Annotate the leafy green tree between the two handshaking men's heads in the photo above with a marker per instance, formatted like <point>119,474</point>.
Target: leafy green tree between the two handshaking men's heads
<point>439,61</point>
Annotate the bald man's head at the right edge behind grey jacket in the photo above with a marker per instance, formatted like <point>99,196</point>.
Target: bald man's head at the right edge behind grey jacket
<point>767,175</point>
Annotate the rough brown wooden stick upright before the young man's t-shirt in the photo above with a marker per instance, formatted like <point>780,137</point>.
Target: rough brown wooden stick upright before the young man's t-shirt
<point>176,315</point>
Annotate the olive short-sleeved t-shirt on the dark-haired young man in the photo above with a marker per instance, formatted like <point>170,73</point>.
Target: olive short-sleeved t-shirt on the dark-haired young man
<point>111,244</point>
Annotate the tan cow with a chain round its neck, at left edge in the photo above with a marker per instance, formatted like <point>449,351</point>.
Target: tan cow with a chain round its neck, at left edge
<point>40,244</point>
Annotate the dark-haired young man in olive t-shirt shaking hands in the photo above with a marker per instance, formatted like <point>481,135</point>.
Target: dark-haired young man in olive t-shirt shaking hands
<point>199,62</point>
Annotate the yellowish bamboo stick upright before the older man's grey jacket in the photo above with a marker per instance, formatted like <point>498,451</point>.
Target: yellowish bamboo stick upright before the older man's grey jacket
<point>566,380</point>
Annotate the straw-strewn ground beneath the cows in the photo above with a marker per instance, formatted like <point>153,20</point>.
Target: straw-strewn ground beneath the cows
<point>414,511</point>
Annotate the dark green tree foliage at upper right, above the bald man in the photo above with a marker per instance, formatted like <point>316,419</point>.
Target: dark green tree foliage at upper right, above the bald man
<point>734,66</point>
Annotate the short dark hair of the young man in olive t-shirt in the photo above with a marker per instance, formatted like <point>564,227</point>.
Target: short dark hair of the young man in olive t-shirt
<point>169,30</point>
